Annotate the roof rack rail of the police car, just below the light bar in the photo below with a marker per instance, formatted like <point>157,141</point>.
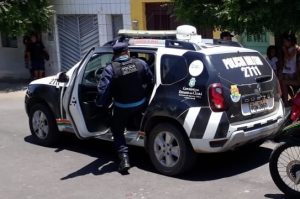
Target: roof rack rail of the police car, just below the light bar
<point>168,43</point>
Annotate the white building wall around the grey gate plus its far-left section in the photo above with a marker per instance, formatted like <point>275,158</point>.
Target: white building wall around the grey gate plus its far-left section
<point>12,59</point>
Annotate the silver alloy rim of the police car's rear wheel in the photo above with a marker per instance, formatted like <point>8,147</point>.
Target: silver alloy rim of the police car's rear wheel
<point>166,149</point>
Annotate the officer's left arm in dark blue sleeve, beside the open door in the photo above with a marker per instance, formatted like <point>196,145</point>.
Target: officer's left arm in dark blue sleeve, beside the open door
<point>104,86</point>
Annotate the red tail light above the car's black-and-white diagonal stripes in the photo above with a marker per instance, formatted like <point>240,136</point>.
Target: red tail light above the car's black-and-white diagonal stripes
<point>216,97</point>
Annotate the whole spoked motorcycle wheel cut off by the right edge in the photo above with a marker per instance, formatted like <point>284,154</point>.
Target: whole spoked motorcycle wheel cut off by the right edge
<point>284,167</point>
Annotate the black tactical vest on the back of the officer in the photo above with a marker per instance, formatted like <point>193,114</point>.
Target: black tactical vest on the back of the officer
<point>127,84</point>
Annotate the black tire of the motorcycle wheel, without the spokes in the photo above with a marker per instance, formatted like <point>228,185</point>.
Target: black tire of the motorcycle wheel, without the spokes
<point>273,166</point>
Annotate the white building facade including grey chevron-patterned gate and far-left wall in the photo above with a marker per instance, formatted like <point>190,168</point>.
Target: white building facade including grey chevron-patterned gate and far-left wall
<point>77,26</point>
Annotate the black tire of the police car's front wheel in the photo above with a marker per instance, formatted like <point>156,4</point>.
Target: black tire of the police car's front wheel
<point>40,135</point>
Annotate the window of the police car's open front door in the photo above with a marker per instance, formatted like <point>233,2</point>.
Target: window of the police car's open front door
<point>94,67</point>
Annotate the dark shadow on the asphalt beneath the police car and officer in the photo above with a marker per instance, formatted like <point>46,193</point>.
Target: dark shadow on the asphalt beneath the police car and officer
<point>208,166</point>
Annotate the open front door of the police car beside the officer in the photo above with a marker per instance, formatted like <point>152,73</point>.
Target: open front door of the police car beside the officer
<point>87,119</point>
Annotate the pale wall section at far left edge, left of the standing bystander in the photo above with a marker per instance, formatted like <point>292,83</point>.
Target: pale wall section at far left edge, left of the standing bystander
<point>12,62</point>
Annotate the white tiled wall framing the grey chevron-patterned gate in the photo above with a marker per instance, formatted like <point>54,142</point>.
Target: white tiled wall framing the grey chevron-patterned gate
<point>102,8</point>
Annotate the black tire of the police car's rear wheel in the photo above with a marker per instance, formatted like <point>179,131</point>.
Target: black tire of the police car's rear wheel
<point>186,158</point>
